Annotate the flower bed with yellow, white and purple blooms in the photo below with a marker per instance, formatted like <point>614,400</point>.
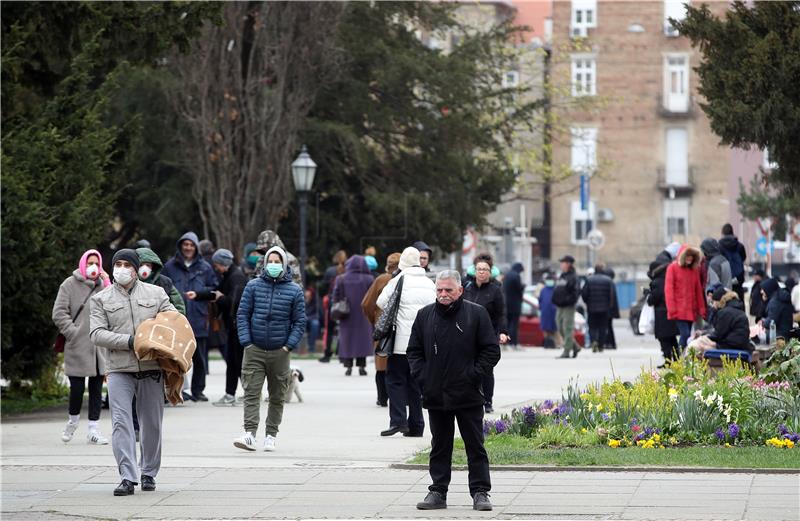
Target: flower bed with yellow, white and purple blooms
<point>685,404</point>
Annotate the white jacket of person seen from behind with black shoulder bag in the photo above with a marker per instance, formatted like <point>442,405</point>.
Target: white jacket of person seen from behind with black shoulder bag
<point>418,291</point>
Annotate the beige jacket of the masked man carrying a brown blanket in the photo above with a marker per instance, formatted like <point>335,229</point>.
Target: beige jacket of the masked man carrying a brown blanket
<point>116,313</point>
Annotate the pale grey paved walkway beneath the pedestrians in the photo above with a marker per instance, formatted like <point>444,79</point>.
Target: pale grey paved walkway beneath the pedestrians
<point>331,462</point>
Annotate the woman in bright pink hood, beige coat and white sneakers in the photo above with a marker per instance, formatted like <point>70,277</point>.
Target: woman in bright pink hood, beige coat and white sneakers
<point>81,358</point>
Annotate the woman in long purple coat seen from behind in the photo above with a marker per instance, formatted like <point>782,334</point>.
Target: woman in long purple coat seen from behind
<point>355,331</point>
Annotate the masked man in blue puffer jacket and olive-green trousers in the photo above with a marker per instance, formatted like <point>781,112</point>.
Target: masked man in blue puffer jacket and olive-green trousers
<point>271,321</point>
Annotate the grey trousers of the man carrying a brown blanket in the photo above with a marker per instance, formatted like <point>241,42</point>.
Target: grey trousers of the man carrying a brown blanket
<point>122,387</point>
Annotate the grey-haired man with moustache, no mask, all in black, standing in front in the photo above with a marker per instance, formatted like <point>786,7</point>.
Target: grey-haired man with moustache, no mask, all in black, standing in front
<point>452,346</point>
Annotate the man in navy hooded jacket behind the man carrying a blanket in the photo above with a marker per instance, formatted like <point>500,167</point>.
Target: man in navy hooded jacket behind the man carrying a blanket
<point>192,275</point>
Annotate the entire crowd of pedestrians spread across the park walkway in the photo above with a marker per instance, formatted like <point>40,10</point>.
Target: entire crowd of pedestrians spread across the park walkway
<point>435,337</point>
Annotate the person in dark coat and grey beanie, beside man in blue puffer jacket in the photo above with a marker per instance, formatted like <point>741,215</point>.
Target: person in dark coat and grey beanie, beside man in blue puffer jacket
<point>233,281</point>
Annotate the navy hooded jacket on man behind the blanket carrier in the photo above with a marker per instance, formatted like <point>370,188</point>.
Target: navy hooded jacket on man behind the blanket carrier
<point>198,277</point>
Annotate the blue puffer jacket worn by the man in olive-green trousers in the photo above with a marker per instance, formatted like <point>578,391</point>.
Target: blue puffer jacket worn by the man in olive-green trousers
<point>272,312</point>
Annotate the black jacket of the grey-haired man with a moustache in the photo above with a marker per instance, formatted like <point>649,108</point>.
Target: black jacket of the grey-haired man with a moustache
<point>450,349</point>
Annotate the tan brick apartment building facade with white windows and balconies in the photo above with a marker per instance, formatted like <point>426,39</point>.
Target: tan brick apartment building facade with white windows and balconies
<point>647,168</point>
